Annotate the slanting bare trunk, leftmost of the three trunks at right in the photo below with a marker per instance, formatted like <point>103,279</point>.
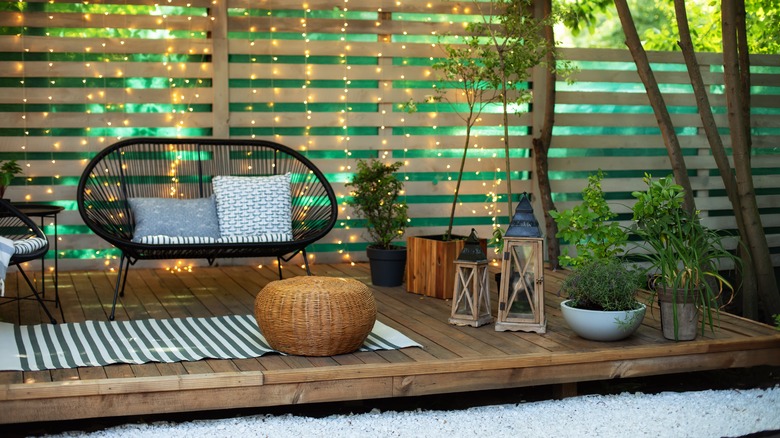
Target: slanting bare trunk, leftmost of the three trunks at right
<point>676,159</point>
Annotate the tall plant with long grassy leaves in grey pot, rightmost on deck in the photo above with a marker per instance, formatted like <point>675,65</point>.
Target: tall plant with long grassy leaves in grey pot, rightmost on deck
<point>684,259</point>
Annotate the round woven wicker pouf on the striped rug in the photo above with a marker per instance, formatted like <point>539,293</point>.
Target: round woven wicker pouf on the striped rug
<point>315,316</point>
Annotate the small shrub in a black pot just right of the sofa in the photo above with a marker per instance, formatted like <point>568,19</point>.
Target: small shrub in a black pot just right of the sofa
<point>375,193</point>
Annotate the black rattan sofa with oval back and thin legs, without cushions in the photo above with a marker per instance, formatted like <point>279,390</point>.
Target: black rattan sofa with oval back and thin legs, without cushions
<point>160,168</point>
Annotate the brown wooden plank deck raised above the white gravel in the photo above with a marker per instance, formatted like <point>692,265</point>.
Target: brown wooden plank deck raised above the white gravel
<point>454,359</point>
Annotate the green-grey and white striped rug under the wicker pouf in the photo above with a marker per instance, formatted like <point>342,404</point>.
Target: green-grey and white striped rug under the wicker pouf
<point>97,343</point>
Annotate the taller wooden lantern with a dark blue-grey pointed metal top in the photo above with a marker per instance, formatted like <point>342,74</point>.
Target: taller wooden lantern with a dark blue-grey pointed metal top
<point>521,295</point>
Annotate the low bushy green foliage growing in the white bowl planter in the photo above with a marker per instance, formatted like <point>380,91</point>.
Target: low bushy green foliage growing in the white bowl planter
<point>605,284</point>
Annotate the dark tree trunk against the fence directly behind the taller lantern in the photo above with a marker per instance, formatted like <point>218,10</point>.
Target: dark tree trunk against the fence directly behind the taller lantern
<point>541,146</point>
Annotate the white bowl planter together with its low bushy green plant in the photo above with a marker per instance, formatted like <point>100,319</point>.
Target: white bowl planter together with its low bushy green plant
<point>601,302</point>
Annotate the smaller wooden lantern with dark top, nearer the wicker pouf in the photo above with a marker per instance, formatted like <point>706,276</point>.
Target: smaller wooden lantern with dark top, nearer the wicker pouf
<point>471,294</point>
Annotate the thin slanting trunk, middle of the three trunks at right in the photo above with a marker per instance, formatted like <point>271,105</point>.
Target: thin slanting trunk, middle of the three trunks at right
<point>747,274</point>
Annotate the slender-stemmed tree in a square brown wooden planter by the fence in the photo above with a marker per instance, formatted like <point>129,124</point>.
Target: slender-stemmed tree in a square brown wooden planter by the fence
<point>492,65</point>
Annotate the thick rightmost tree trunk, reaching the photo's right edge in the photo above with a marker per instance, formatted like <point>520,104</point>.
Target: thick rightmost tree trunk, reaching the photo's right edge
<point>740,143</point>
